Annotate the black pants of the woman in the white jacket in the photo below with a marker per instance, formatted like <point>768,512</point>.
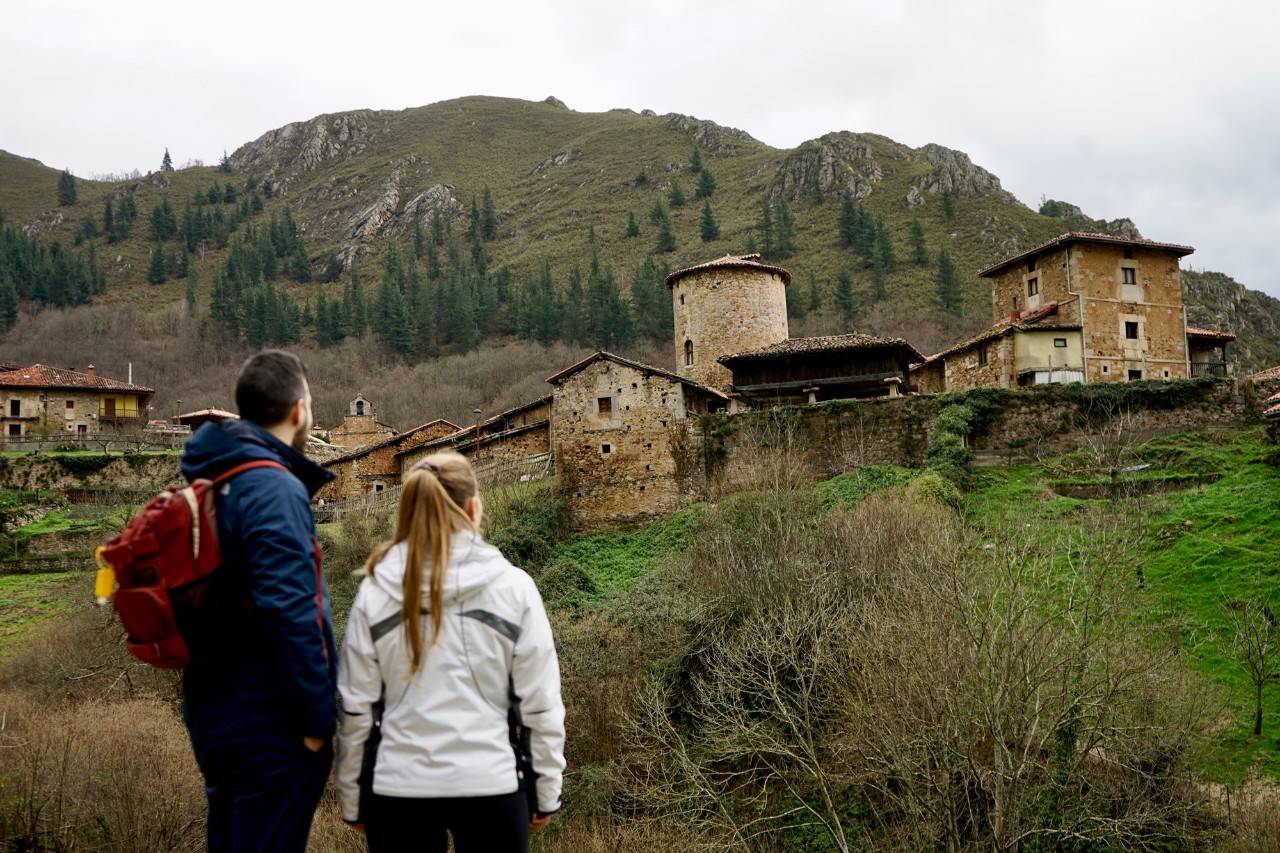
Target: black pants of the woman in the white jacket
<point>490,824</point>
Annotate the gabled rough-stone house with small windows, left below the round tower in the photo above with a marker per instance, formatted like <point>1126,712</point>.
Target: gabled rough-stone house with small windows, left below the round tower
<point>625,440</point>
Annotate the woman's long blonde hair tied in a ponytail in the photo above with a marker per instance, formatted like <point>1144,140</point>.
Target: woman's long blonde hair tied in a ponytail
<point>432,509</point>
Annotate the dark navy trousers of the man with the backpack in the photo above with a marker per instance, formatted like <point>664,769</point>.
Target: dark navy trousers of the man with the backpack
<point>263,797</point>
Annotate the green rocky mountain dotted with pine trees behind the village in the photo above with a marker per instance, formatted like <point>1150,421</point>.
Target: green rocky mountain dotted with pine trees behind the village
<point>555,181</point>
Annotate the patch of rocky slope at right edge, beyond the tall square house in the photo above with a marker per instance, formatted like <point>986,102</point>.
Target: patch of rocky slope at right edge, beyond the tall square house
<point>1218,302</point>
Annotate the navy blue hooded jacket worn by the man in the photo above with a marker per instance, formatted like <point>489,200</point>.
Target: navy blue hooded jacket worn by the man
<point>264,656</point>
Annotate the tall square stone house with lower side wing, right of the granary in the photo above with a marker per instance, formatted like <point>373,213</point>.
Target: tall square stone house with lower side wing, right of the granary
<point>1082,308</point>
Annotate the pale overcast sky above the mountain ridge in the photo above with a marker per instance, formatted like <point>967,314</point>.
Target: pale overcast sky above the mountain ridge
<point>1168,113</point>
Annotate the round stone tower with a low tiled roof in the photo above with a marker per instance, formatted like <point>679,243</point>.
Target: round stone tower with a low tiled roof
<point>726,307</point>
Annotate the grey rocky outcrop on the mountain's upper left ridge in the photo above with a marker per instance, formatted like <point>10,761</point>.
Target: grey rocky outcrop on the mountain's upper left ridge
<point>307,145</point>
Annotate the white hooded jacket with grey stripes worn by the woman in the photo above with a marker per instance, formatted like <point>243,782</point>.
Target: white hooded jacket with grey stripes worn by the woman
<point>445,733</point>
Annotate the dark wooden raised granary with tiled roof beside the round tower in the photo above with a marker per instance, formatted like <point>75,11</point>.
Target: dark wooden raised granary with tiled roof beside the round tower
<point>807,371</point>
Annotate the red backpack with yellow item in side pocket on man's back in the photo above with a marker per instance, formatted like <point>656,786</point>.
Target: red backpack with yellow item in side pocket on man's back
<point>161,564</point>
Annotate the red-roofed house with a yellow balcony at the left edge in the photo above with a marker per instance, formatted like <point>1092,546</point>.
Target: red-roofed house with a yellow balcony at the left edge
<point>44,402</point>
